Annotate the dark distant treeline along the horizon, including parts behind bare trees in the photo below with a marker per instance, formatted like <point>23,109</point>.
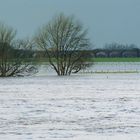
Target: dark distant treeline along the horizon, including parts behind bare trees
<point>109,50</point>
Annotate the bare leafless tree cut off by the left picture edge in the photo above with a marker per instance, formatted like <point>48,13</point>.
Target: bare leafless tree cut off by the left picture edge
<point>13,60</point>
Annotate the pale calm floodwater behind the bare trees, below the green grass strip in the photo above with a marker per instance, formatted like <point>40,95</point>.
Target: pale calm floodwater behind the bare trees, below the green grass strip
<point>101,67</point>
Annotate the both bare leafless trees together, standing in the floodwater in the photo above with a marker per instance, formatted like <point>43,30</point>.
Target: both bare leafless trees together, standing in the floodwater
<point>63,41</point>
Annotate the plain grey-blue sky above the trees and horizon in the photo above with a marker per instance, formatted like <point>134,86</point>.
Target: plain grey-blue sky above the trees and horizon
<point>107,20</point>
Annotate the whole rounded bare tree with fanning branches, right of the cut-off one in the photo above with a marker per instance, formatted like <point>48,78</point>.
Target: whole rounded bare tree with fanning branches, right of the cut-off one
<point>64,42</point>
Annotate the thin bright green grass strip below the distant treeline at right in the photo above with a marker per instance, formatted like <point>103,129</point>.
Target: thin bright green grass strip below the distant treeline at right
<point>115,59</point>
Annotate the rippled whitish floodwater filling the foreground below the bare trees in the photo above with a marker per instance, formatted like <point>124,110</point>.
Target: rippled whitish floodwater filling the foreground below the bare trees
<point>81,107</point>
